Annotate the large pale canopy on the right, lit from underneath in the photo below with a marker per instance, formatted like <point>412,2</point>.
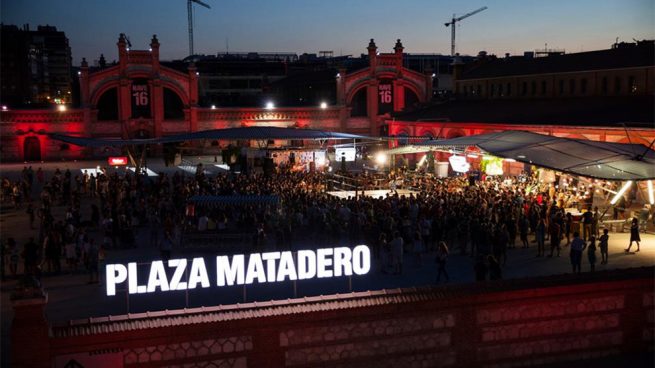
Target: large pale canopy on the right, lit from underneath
<point>593,159</point>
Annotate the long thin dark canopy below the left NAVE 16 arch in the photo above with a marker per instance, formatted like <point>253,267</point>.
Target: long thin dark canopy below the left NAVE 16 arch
<point>248,133</point>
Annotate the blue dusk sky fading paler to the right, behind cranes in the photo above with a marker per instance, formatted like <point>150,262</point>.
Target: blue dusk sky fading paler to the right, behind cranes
<point>343,26</point>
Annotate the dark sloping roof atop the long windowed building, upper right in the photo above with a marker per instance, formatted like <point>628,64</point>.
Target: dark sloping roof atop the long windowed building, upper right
<point>624,56</point>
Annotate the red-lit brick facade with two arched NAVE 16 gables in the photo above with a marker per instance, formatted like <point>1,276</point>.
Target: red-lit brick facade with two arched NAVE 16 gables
<point>141,90</point>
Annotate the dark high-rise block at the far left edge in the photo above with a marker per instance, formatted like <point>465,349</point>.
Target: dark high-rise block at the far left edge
<point>36,66</point>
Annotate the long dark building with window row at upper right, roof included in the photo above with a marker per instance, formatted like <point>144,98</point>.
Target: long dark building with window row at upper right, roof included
<point>624,70</point>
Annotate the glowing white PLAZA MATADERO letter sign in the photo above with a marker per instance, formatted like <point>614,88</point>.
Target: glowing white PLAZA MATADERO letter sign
<point>182,274</point>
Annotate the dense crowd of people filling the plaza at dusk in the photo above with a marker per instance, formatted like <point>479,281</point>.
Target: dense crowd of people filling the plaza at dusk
<point>482,219</point>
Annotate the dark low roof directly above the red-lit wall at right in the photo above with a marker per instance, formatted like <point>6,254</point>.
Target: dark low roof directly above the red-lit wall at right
<point>585,111</point>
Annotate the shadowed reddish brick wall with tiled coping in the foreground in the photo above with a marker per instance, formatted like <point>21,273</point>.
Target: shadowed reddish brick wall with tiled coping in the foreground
<point>512,323</point>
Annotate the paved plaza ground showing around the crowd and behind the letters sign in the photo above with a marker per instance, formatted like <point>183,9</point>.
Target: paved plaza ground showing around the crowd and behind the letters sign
<point>71,297</point>
